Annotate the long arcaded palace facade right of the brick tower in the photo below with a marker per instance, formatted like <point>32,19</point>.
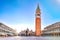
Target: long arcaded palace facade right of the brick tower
<point>52,30</point>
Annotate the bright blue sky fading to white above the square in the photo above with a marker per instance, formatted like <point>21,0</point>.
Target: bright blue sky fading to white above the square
<point>20,14</point>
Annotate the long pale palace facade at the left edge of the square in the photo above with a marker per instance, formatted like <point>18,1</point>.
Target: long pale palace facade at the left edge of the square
<point>6,31</point>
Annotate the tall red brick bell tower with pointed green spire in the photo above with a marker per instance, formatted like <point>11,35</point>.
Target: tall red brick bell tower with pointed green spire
<point>38,22</point>
